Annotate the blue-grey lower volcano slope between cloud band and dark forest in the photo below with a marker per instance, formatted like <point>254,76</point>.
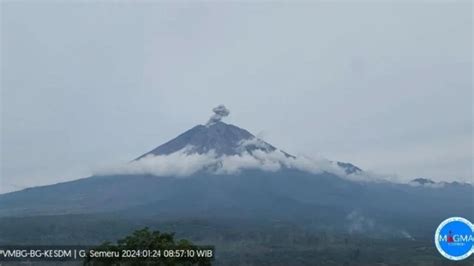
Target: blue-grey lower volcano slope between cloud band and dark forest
<point>323,200</point>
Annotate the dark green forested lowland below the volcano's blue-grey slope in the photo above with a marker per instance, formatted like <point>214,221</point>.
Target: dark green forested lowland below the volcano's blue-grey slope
<point>236,242</point>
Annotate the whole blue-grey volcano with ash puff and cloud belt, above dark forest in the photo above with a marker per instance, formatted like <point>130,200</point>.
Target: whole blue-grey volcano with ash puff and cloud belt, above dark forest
<point>235,175</point>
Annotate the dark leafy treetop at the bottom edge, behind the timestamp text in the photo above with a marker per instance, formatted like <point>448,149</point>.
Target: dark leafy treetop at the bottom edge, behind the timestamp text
<point>145,247</point>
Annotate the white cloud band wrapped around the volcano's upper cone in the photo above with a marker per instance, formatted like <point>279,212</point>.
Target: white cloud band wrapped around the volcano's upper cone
<point>185,163</point>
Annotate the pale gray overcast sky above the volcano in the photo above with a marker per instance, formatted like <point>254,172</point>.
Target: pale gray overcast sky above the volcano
<point>385,86</point>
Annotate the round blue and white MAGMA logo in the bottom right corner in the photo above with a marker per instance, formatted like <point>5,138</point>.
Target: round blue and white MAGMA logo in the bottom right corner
<point>454,238</point>
